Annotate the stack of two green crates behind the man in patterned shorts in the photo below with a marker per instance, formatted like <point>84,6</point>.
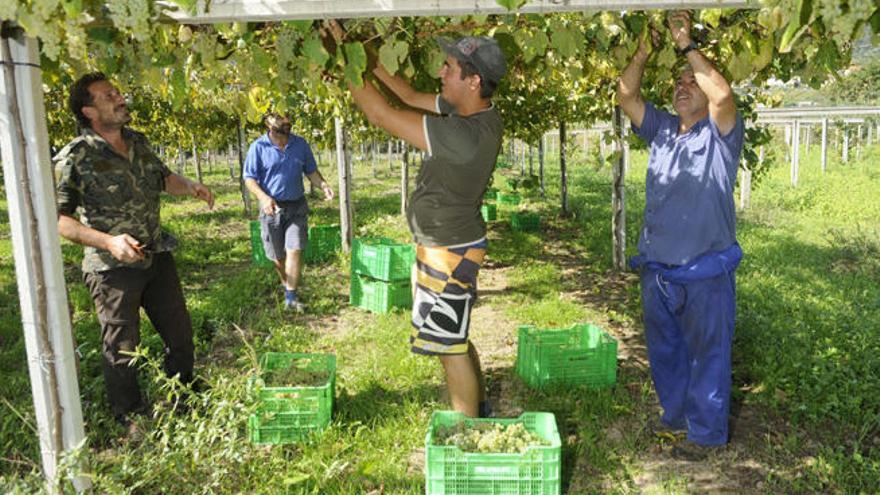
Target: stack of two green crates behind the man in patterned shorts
<point>380,274</point>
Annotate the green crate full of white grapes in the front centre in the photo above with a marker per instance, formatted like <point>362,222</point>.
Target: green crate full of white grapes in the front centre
<point>471,456</point>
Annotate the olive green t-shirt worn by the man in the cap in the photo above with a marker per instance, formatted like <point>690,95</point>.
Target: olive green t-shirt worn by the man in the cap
<point>444,208</point>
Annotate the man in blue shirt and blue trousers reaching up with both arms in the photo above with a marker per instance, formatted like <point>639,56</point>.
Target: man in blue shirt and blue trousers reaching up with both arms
<point>687,246</point>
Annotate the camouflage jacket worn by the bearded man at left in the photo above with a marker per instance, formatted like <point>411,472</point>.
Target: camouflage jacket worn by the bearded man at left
<point>112,193</point>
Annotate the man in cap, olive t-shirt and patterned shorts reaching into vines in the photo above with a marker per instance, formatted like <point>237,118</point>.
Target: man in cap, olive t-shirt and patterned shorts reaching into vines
<point>461,132</point>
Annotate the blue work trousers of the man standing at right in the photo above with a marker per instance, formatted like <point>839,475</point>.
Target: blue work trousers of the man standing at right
<point>689,331</point>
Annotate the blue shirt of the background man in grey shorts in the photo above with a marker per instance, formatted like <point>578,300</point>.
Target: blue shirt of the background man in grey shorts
<point>279,172</point>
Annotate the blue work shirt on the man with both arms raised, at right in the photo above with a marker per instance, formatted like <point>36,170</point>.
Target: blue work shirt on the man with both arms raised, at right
<point>689,209</point>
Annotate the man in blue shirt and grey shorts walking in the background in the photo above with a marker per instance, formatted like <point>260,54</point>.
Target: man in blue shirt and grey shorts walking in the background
<point>273,171</point>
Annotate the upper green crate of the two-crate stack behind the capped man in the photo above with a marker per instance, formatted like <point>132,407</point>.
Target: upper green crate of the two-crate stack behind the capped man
<point>382,258</point>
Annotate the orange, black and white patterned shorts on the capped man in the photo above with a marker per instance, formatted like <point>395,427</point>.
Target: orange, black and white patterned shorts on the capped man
<point>445,292</point>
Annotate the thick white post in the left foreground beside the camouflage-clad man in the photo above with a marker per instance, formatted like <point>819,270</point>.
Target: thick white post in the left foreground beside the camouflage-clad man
<point>33,222</point>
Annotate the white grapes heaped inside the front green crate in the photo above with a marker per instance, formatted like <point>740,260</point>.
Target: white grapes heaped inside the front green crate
<point>487,438</point>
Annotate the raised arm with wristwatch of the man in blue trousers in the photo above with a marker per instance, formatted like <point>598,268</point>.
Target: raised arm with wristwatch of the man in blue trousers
<point>722,108</point>
